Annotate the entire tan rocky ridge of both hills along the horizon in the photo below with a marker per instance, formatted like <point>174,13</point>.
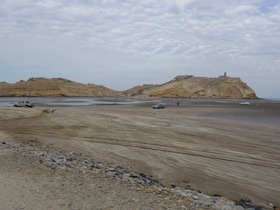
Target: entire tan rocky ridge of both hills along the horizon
<point>186,86</point>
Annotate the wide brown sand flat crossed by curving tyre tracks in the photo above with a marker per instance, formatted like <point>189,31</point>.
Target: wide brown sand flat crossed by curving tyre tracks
<point>217,148</point>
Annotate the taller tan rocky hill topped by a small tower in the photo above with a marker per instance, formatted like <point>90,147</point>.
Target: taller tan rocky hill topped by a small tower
<point>198,87</point>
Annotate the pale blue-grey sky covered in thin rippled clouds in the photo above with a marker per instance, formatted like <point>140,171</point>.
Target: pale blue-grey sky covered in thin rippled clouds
<point>123,43</point>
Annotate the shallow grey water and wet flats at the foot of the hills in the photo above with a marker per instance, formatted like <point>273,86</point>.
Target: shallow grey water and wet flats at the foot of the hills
<point>259,111</point>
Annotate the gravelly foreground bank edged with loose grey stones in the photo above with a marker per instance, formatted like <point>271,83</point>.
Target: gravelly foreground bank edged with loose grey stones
<point>33,177</point>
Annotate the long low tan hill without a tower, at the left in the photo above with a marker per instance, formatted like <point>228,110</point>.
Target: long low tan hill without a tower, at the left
<point>53,87</point>
